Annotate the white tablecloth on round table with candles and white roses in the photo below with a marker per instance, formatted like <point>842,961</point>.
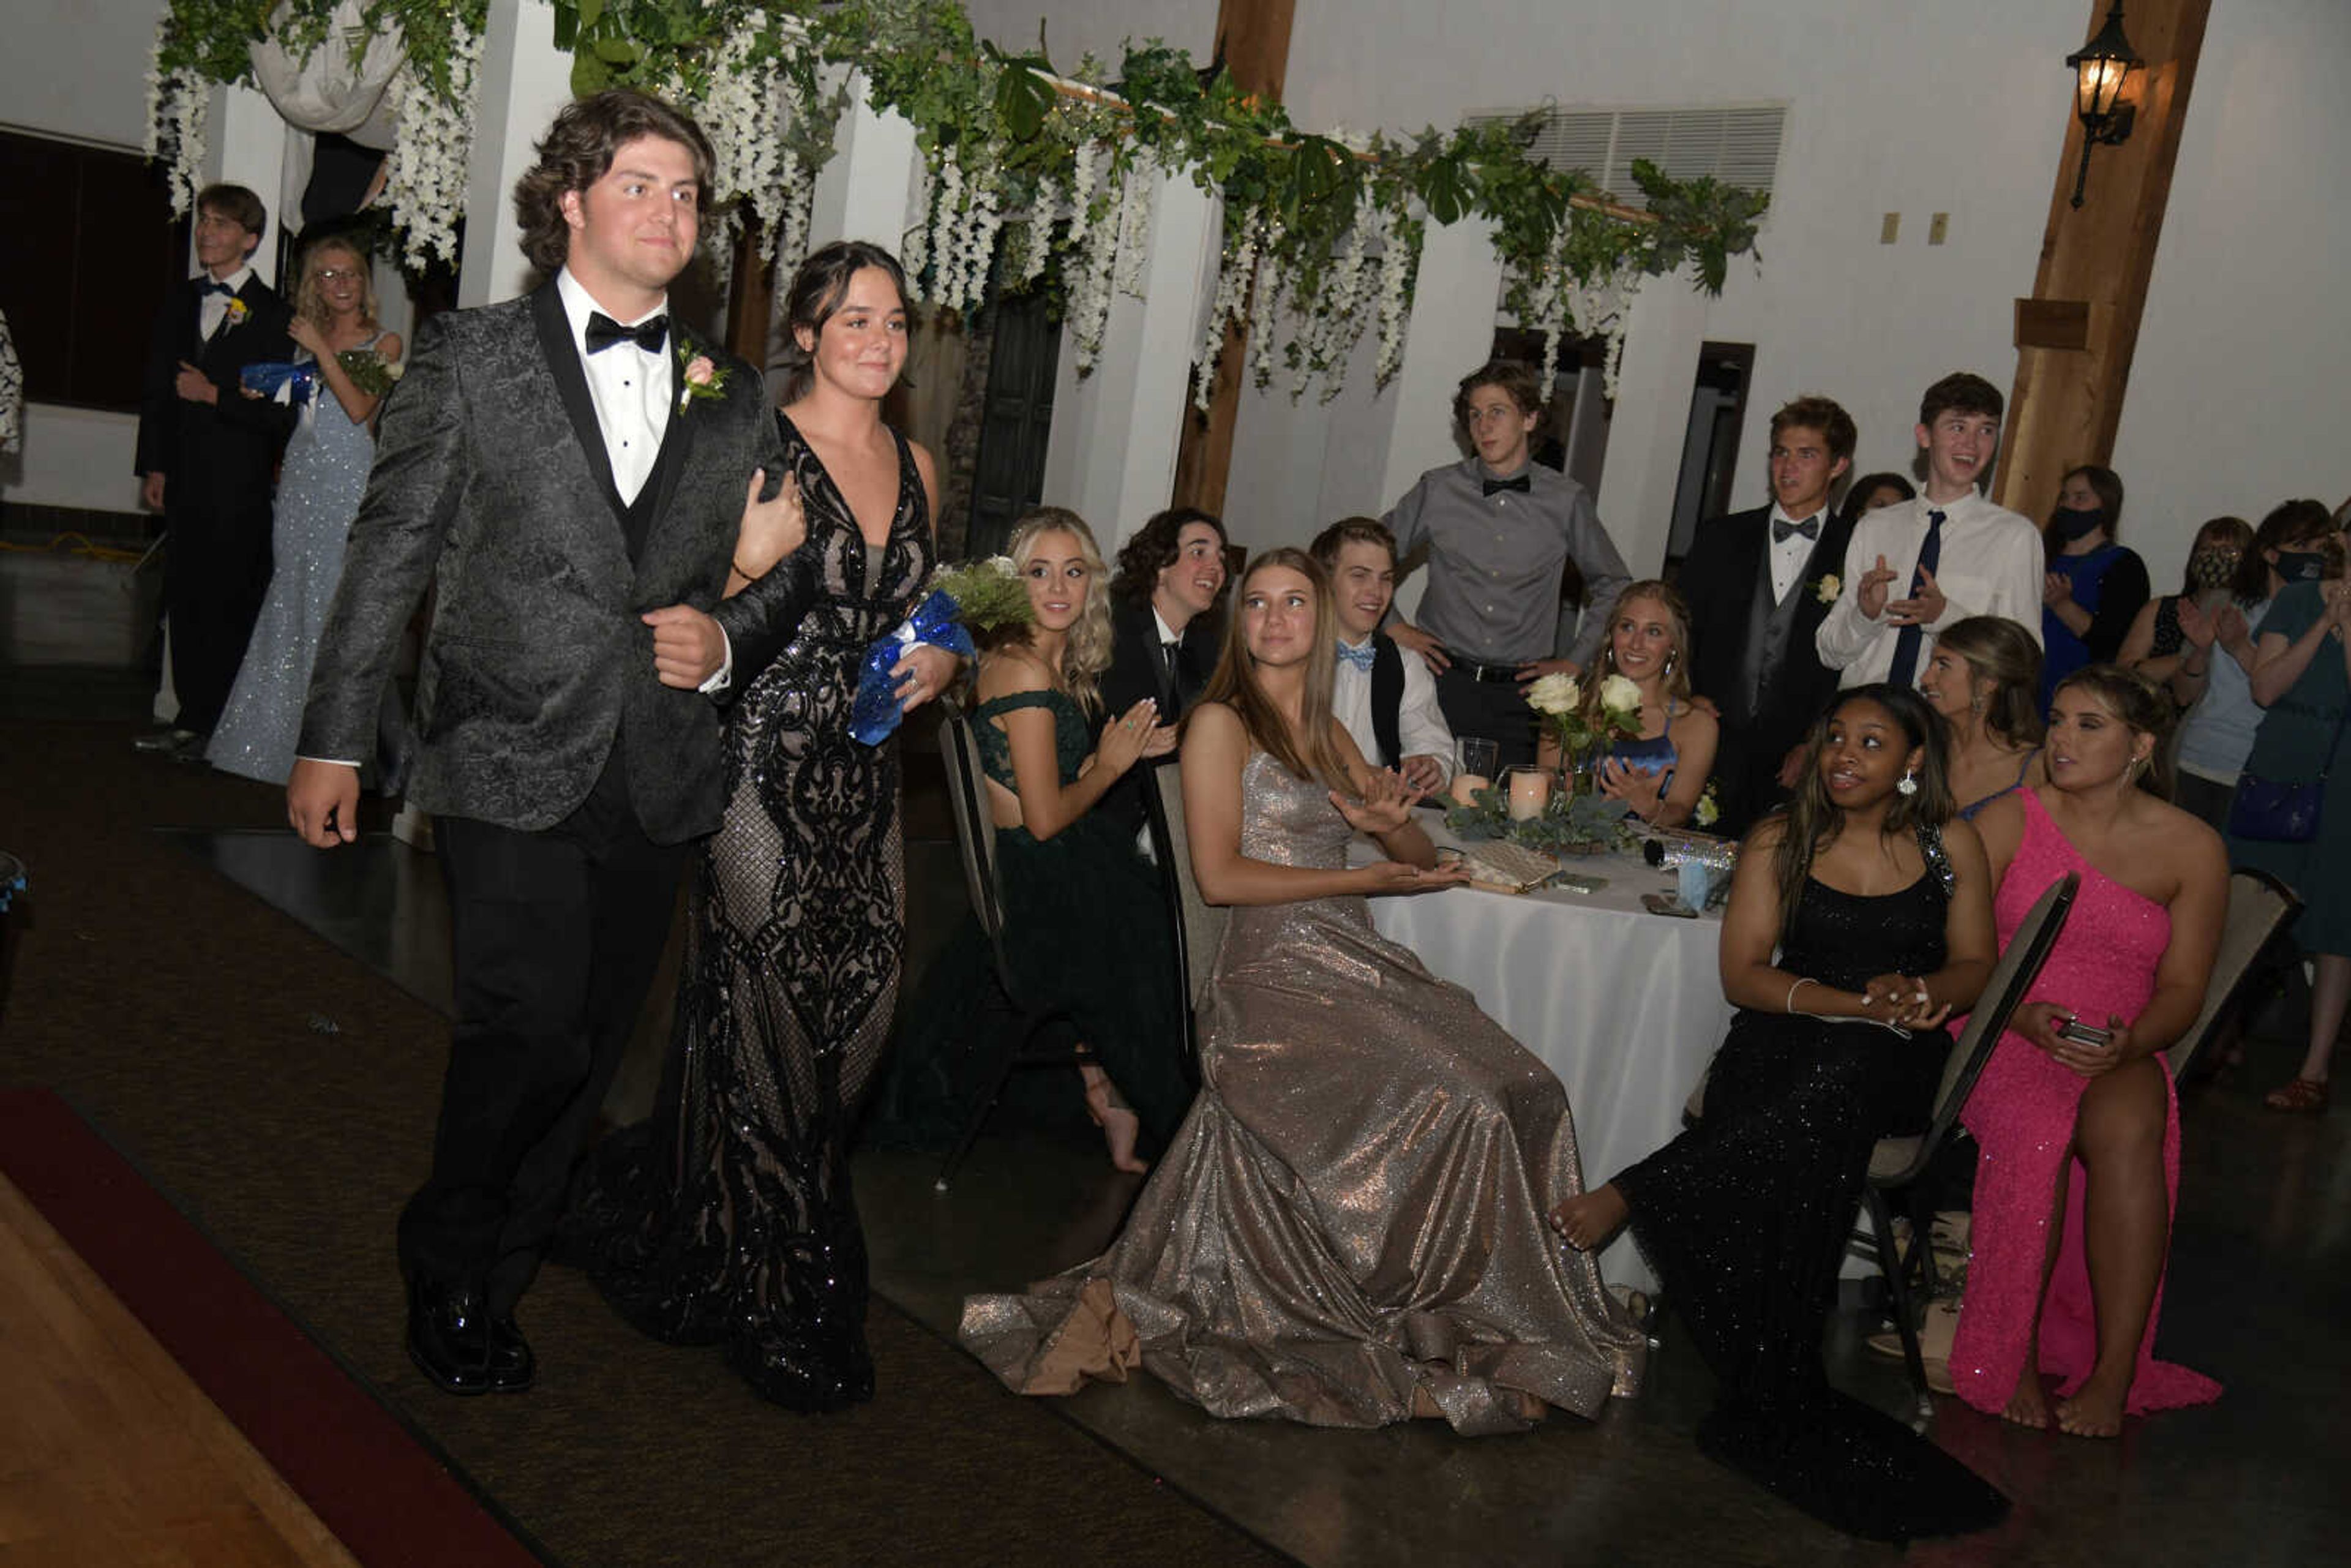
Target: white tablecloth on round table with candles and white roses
<point>1623,1005</point>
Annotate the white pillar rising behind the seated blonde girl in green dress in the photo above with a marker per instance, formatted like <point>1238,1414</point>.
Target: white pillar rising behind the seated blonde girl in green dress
<point>1113,448</point>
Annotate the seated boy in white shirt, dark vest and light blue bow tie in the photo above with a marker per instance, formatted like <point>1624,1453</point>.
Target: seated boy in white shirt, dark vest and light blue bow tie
<point>1381,697</point>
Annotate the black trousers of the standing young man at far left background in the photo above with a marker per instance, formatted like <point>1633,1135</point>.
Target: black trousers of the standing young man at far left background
<point>217,570</point>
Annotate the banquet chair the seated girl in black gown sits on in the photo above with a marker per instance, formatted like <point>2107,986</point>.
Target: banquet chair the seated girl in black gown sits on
<point>1898,1162</point>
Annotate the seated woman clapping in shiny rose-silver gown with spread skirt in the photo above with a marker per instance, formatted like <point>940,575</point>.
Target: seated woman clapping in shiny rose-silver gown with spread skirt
<point>1348,1228</point>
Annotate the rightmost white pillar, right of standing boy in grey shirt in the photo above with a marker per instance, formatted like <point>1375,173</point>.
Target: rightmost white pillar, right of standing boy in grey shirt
<point>1652,424</point>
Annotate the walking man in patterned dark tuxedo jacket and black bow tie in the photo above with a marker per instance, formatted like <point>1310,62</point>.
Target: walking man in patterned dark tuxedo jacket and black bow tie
<point>570,471</point>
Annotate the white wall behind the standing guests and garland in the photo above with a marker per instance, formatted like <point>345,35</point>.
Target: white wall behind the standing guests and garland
<point>2235,391</point>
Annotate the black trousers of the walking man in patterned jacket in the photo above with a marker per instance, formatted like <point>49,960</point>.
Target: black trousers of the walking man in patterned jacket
<point>556,937</point>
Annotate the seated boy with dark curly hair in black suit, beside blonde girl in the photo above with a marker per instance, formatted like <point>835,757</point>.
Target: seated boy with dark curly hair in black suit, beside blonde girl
<point>1163,634</point>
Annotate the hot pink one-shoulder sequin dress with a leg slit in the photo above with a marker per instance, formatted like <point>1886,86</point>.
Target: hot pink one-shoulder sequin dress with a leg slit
<point>2023,1123</point>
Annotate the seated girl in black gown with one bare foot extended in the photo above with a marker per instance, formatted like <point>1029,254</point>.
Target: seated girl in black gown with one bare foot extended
<point>1880,920</point>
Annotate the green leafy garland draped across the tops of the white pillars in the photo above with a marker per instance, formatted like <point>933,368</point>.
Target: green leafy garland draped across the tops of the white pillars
<point>1014,123</point>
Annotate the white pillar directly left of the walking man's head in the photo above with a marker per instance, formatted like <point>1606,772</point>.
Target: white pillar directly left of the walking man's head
<point>525,79</point>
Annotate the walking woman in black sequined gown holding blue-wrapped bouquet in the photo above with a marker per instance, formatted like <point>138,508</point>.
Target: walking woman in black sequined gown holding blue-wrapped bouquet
<point>728,1217</point>
